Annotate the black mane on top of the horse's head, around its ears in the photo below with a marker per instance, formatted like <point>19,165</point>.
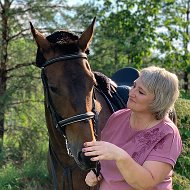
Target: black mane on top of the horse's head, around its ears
<point>62,40</point>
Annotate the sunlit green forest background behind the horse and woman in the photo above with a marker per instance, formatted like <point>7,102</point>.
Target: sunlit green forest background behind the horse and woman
<point>132,33</point>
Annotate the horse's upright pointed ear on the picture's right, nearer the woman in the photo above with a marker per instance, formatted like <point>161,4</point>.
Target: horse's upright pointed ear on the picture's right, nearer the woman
<point>86,37</point>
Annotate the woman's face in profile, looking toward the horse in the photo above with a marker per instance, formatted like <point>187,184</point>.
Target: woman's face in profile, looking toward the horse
<point>139,97</point>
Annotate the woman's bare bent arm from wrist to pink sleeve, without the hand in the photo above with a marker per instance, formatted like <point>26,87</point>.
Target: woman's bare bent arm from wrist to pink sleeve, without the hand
<point>143,177</point>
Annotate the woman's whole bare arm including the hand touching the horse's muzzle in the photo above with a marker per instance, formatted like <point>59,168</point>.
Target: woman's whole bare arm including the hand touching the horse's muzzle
<point>139,177</point>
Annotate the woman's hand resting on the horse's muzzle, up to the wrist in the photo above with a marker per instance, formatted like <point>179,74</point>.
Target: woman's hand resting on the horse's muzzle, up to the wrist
<point>101,150</point>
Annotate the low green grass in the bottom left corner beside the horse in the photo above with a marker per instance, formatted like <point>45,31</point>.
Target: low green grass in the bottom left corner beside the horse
<point>32,174</point>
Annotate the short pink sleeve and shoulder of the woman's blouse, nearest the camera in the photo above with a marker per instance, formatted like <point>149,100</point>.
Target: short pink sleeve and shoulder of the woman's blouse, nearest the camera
<point>168,144</point>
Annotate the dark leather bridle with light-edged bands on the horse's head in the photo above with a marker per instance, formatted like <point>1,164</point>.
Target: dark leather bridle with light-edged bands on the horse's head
<point>59,122</point>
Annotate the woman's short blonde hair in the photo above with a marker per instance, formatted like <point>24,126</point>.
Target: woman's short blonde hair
<point>165,87</point>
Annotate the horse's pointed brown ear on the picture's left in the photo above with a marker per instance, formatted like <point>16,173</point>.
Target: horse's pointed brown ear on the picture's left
<point>41,41</point>
